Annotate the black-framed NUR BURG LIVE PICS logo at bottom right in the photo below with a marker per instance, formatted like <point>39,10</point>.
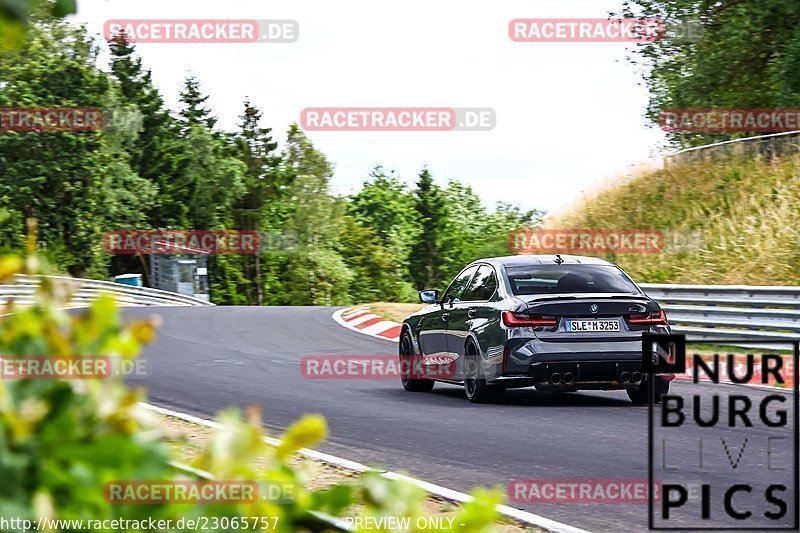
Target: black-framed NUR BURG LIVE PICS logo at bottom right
<point>723,442</point>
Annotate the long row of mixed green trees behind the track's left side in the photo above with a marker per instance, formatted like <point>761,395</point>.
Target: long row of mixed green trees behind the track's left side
<point>151,168</point>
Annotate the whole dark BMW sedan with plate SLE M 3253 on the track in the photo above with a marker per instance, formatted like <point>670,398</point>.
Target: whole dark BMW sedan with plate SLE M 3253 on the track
<point>555,323</point>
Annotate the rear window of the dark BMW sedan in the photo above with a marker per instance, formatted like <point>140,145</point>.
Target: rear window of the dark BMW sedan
<point>565,279</point>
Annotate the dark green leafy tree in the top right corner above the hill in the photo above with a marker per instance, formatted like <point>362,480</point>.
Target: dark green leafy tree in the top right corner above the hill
<point>742,54</point>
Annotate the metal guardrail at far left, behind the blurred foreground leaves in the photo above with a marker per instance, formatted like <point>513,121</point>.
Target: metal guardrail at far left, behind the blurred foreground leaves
<point>84,291</point>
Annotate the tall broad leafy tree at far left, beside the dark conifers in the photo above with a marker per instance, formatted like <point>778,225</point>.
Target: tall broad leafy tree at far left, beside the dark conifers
<point>64,179</point>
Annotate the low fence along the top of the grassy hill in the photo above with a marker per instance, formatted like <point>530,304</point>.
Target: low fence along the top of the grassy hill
<point>763,146</point>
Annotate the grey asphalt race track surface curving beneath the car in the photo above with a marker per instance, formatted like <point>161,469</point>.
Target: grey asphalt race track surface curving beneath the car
<point>208,358</point>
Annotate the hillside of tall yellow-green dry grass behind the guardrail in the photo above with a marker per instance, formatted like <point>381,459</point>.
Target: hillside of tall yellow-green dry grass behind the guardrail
<point>745,212</point>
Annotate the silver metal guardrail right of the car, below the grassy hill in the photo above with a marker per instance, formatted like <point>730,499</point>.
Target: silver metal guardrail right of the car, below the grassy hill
<point>740,312</point>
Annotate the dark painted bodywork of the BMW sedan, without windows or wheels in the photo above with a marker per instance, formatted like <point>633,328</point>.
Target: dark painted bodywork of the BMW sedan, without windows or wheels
<point>528,356</point>
